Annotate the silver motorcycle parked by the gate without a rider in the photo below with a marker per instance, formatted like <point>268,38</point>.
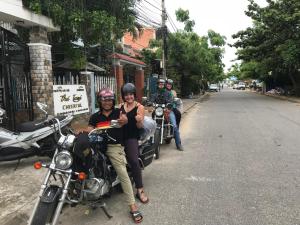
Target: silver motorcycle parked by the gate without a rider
<point>30,138</point>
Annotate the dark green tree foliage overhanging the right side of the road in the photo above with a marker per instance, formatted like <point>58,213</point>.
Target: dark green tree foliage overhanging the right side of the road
<point>273,42</point>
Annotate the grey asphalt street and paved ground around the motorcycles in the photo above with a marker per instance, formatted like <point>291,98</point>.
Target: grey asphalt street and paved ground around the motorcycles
<point>241,166</point>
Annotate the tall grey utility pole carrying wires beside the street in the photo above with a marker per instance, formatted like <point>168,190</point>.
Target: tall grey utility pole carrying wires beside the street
<point>164,47</point>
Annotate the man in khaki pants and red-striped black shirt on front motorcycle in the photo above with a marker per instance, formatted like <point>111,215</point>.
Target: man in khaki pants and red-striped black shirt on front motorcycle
<point>115,151</point>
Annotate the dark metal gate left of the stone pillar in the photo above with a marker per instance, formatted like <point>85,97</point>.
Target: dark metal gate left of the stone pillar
<point>15,82</point>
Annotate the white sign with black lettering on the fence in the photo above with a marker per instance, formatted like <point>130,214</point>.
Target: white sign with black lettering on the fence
<point>70,99</point>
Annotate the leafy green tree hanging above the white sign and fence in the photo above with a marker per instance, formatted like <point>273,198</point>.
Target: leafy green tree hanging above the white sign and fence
<point>92,22</point>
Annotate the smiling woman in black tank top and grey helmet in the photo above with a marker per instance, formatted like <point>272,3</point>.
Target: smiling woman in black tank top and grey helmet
<point>135,113</point>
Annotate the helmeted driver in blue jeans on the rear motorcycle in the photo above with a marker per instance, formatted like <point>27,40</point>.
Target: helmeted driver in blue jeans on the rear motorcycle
<point>164,97</point>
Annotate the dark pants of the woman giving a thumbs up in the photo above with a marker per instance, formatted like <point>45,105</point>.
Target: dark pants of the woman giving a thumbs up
<point>131,150</point>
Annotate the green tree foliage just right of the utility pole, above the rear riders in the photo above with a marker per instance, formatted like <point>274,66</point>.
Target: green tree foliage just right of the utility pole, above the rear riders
<point>195,60</point>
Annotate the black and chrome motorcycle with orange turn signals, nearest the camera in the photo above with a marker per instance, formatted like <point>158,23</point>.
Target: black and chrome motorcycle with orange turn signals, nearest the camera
<point>67,182</point>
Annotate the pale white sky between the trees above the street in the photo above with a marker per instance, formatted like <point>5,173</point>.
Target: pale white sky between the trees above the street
<point>226,17</point>
